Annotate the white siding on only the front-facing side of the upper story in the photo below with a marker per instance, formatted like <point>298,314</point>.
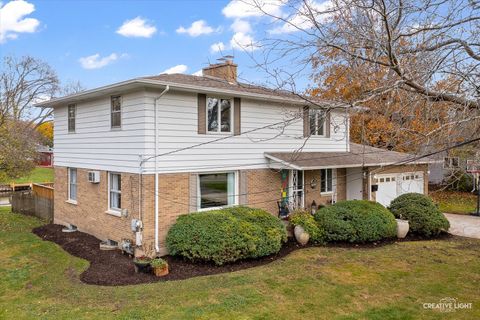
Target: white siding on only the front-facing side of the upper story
<point>178,128</point>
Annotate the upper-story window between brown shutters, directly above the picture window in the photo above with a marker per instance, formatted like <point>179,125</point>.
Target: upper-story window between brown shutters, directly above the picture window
<point>219,115</point>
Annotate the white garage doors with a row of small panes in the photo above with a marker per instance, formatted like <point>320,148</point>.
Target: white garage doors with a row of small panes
<point>393,185</point>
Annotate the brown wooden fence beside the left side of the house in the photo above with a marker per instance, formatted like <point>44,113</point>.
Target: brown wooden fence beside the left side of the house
<point>36,202</point>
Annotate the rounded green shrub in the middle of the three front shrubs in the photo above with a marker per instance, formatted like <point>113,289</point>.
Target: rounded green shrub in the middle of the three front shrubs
<point>356,221</point>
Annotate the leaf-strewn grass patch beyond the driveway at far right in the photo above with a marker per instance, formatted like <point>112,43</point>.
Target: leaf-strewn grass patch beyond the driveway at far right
<point>455,202</point>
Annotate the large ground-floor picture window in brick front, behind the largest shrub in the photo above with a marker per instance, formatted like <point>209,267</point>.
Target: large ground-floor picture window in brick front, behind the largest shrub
<point>216,190</point>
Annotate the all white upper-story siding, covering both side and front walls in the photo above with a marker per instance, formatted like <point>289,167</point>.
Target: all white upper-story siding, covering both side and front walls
<point>95,146</point>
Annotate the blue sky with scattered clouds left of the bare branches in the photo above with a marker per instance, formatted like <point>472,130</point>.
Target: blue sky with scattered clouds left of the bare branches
<point>85,40</point>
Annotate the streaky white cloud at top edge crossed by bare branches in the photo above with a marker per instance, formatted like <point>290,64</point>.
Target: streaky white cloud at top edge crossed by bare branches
<point>302,20</point>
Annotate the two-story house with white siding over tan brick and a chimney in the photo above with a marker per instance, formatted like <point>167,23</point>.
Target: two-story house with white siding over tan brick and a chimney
<point>153,148</point>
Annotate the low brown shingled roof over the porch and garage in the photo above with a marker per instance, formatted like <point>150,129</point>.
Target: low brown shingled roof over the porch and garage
<point>358,156</point>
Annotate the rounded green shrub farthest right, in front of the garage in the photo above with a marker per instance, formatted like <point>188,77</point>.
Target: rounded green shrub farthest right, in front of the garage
<point>421,212</point>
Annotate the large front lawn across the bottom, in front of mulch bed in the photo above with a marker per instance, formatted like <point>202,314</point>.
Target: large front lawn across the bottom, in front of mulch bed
<point>38,280</point>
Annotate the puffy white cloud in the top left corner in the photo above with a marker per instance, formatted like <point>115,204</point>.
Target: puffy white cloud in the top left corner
<point>12,21</point>
